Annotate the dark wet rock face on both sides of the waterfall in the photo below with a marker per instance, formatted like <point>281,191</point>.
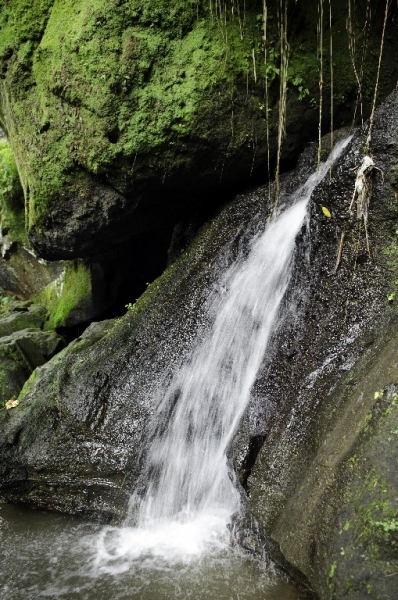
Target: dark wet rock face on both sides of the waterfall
<point>75,443</point>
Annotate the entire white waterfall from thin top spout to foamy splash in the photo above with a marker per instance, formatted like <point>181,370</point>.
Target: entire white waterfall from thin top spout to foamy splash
<point>191,493</point>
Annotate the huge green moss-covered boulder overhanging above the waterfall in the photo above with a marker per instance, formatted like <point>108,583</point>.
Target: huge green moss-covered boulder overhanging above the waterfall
<point>123,114</point>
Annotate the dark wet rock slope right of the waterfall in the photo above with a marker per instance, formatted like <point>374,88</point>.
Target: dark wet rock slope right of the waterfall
<point>322,485</point>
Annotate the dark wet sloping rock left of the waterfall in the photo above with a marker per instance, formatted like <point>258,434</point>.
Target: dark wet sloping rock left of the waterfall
<point>89,422</point>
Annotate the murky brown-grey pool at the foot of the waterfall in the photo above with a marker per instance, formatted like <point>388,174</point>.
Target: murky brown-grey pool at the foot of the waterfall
<point>45,555</point>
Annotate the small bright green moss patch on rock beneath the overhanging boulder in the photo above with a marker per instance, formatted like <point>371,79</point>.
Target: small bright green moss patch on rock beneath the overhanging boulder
<point>69,293</point>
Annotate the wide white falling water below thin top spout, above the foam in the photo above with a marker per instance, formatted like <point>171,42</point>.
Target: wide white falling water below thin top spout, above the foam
<point>207,397</point>
